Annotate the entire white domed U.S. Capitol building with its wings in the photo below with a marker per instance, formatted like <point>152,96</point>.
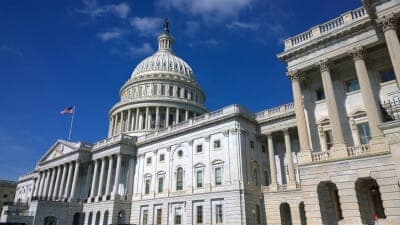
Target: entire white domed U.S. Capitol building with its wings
<point>330,157</point>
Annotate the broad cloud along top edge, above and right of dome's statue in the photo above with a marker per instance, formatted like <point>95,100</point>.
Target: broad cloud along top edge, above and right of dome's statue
<point>208,9</point>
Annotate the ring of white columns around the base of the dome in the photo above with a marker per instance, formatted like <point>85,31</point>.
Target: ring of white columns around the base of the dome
<point>147,118</point>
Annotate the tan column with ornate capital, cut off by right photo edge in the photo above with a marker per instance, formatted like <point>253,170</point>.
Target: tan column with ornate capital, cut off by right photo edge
<point>392,42</point>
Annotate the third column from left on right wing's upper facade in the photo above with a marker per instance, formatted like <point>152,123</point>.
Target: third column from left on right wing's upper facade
<point>369,99</point>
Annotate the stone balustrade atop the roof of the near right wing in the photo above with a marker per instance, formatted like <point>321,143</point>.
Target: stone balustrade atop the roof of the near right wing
<point>325,28</point>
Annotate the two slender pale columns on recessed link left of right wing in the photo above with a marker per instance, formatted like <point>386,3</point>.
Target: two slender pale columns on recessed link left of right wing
<point>271,155</point>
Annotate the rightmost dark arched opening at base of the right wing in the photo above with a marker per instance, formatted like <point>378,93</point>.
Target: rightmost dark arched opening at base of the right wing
<point>369,200</point>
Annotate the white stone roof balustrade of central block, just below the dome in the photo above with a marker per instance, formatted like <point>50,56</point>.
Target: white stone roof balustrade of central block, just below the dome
<point>229,110</point>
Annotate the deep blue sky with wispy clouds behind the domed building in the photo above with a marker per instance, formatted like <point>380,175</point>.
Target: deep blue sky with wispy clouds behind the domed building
<point>54,54</point>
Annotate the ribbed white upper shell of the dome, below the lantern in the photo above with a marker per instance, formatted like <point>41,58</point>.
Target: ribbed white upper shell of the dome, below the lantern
<point>161,62</point>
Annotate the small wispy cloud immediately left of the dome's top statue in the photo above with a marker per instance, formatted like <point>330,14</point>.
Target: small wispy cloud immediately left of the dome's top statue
<point>147,26</point>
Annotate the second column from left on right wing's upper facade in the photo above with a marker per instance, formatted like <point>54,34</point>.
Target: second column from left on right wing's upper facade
<point>333,111</point>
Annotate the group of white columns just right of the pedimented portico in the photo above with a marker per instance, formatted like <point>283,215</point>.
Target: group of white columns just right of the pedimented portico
<point>97,190</point>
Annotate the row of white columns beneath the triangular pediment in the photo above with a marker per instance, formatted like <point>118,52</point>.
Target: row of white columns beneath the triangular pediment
<point>58,183</point>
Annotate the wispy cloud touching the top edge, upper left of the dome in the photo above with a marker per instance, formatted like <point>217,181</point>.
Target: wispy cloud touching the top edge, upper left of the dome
<point>93,9</point>
